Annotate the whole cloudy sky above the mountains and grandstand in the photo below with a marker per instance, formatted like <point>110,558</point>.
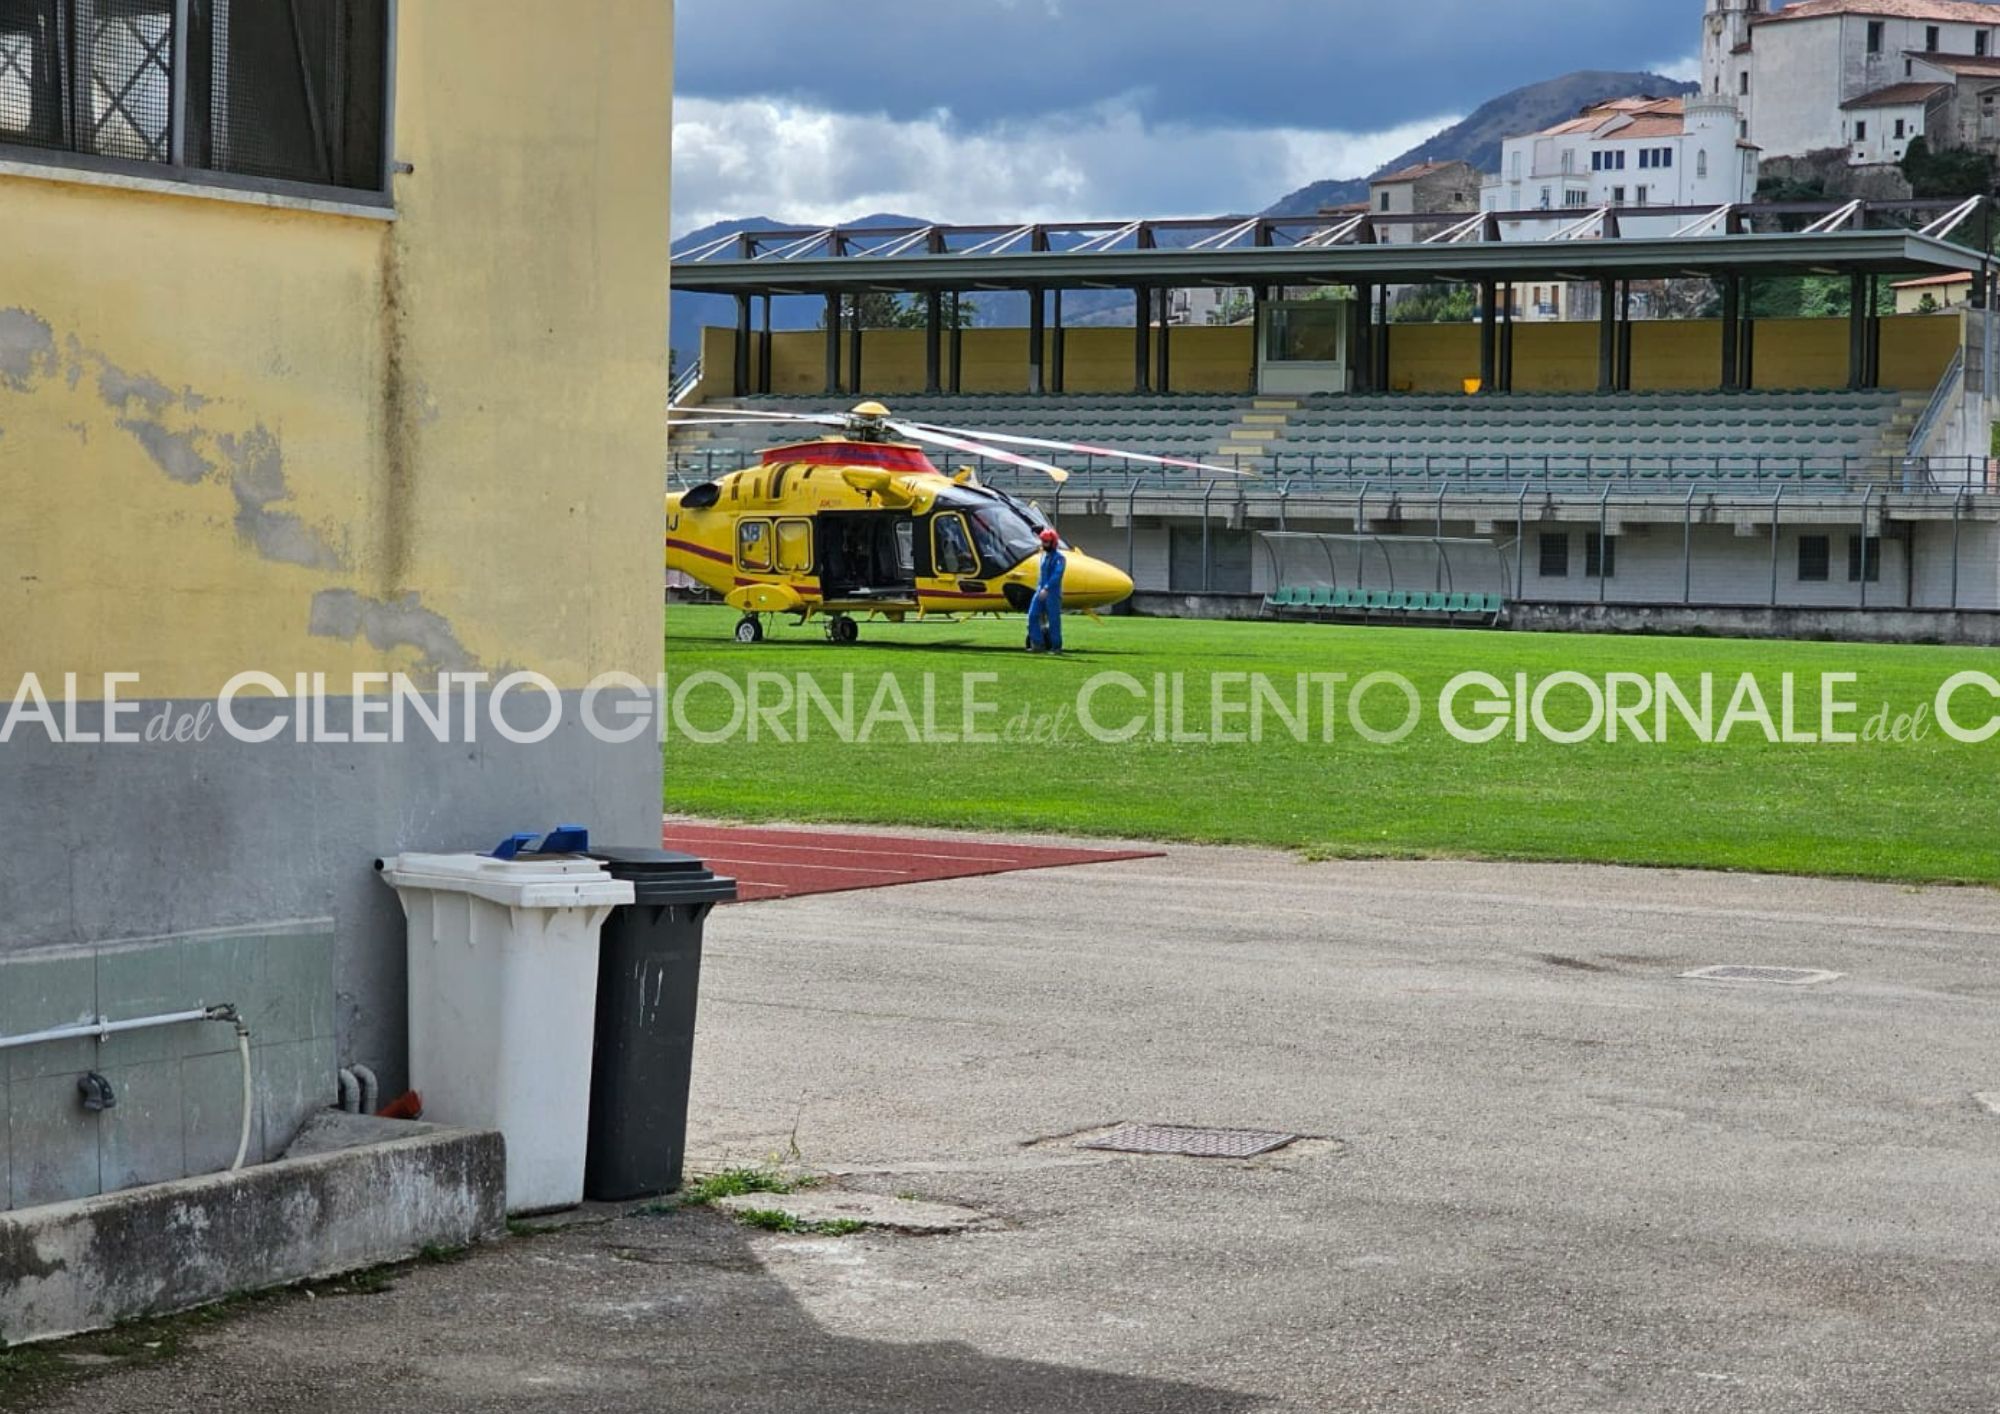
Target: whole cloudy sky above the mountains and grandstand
<point>813,111</point>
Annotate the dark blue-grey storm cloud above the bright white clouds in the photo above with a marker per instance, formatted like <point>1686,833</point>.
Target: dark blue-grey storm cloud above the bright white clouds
<point>1247,63</point>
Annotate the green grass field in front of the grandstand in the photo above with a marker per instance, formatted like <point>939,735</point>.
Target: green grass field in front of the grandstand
<point>1913,811</point>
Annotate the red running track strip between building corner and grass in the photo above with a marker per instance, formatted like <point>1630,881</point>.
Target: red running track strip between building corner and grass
<point>793,863</point>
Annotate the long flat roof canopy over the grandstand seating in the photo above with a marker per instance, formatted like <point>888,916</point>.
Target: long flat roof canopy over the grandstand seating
<point>1347,249</point>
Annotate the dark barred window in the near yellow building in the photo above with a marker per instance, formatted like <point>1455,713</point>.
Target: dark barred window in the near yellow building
<point>289,91</point>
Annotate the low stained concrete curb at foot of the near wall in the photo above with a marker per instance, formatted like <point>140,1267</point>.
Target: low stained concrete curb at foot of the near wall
<point>153,1251</point>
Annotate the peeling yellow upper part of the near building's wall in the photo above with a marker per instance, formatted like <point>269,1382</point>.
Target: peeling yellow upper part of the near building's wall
<point>223,425</point>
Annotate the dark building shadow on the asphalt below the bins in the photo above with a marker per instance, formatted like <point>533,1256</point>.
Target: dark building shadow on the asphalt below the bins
<point>673,1313</point>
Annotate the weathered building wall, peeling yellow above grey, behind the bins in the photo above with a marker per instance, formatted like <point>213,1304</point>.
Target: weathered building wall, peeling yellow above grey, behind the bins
<point>297,439</point>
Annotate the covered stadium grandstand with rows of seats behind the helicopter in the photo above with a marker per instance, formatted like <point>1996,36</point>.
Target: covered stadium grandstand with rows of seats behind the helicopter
<point>1723,463</point>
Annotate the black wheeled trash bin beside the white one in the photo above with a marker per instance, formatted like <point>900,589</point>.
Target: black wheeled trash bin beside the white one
<point>649,971</point>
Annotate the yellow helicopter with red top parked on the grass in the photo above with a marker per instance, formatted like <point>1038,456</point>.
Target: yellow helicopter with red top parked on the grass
<point>863,523</point>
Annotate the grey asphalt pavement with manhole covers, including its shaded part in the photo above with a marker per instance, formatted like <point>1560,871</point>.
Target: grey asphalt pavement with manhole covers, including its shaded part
<point>1541,1171</point>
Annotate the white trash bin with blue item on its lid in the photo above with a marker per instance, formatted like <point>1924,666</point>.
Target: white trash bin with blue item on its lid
<point>503,1003</point>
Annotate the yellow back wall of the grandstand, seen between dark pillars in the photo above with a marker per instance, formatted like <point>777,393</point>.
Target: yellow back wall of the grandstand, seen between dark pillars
<point>1667,355</point>
